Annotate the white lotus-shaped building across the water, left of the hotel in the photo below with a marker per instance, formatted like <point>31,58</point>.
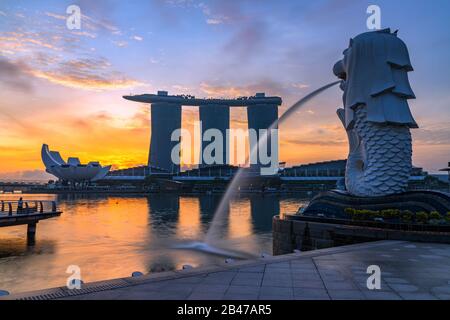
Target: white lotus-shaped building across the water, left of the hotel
<point>72,170</point>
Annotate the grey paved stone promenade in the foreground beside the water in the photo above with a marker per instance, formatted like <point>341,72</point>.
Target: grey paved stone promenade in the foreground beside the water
<point>408,271</point>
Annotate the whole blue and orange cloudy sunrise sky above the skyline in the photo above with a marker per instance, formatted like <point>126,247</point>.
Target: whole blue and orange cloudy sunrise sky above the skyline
<point>64,87</point>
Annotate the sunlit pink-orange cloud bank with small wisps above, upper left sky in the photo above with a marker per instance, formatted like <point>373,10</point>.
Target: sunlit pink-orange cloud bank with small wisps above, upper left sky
<point>42,52</point>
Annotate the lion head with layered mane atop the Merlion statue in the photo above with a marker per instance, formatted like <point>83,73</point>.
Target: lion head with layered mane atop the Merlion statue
<point>374,71</point>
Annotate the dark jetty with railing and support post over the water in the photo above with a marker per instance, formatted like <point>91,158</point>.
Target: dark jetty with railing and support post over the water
<point>14,212</point>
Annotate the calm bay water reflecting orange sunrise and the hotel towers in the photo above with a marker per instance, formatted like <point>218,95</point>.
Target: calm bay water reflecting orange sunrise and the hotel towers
<point>112,236</point>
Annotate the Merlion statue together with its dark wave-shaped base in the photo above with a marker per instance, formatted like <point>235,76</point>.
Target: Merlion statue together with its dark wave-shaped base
<point>377,119</point>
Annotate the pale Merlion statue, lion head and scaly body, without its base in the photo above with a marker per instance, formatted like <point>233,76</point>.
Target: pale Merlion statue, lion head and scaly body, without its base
<point>376,114</point>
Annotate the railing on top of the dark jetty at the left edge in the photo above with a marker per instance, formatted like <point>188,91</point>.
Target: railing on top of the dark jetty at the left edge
<point>25,207</point>
